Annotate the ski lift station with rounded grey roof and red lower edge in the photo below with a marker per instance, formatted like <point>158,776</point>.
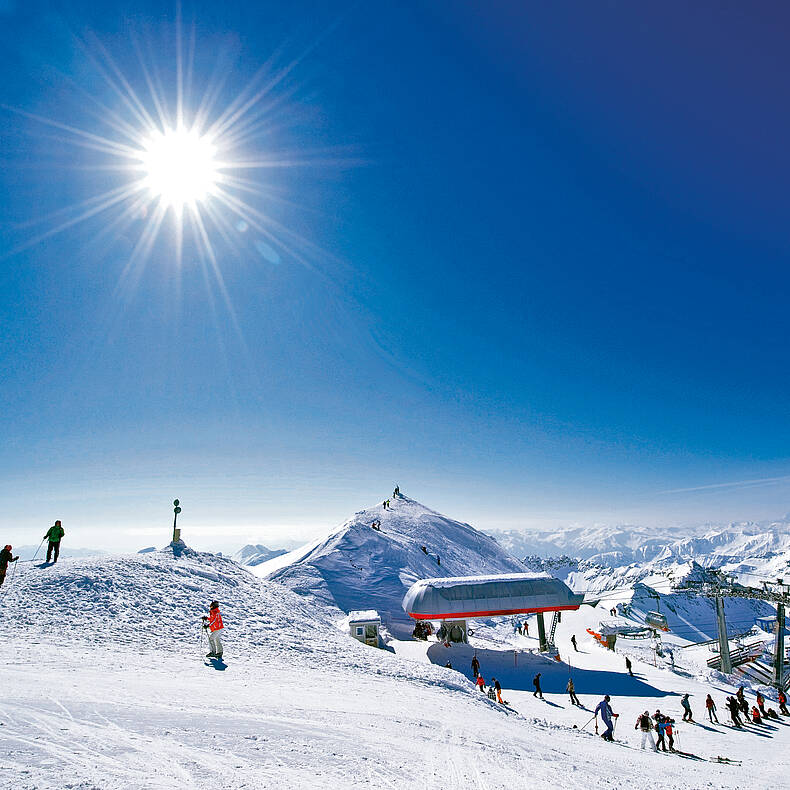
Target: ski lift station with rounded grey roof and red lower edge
<point>454,600</point>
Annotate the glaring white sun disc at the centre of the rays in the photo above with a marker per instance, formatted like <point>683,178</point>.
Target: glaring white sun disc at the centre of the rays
<point>179,167</point>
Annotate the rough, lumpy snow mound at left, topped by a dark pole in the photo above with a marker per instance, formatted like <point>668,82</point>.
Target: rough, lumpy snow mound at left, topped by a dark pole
<point>153,603</point>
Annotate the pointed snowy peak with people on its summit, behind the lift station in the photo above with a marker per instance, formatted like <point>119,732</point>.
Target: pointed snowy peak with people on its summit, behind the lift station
<point>357,567</point>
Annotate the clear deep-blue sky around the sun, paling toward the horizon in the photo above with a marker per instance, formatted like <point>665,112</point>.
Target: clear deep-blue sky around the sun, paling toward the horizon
<point>529,262</point>
